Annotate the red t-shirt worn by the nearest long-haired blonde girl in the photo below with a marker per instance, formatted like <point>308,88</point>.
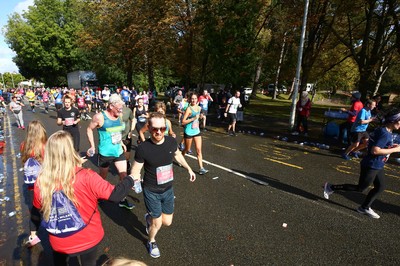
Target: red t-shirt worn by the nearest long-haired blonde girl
<point>88,188</point>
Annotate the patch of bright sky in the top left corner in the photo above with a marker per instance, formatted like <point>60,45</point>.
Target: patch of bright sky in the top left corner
<point>6,54</point>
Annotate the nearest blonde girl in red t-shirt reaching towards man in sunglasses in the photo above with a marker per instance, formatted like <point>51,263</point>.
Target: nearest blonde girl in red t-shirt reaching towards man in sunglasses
<point>62,170</point>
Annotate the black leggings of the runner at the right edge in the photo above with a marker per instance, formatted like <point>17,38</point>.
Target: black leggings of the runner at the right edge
<point>368,177</point>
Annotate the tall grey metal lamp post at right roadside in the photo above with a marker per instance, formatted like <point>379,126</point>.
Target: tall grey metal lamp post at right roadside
<point>298,69</point>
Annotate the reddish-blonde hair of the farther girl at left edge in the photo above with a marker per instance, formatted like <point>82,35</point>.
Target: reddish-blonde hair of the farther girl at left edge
<point>36,138</point>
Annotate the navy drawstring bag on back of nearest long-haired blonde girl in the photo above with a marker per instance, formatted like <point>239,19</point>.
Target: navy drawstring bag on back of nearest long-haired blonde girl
<point>64,219</point>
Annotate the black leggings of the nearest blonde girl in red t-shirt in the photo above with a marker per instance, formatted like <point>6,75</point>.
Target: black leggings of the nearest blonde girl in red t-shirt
<point>87,257</point>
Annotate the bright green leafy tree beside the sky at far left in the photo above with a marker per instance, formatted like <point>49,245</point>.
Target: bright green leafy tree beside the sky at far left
<point>44,39</point>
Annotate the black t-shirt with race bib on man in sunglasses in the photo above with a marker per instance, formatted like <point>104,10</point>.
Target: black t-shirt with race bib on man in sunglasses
<point>157,159</point>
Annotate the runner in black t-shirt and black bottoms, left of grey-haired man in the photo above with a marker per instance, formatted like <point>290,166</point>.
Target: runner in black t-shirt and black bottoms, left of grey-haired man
<point>69,117</point>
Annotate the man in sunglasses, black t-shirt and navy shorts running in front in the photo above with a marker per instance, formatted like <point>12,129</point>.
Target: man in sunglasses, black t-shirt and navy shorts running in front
<point>156,155</point>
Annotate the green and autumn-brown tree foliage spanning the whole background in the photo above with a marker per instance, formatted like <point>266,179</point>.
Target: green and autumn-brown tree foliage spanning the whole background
<point>153,43</point>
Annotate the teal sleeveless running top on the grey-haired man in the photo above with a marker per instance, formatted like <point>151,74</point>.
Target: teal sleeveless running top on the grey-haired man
<point>110,137</point>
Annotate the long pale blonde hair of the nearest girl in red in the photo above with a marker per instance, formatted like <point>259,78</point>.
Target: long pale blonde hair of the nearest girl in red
<point>58,170</point>
